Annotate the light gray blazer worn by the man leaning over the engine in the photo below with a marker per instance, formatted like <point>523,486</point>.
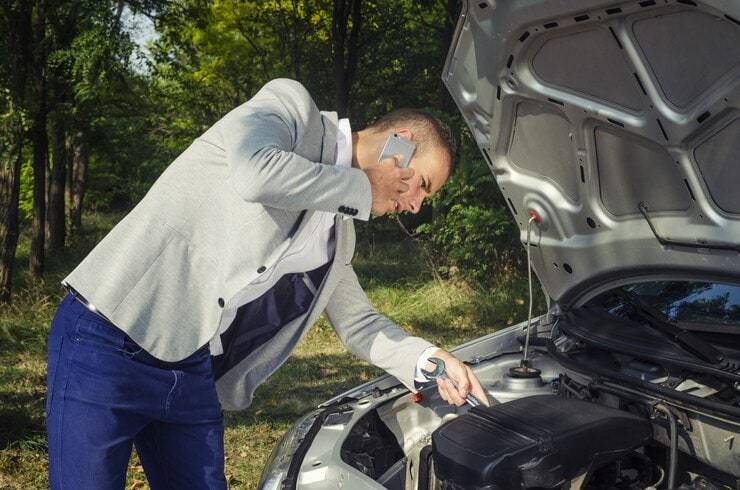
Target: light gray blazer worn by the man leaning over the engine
<point>223,212</point>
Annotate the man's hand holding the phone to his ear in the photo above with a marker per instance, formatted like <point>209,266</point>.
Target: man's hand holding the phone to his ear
<point>387,184</point>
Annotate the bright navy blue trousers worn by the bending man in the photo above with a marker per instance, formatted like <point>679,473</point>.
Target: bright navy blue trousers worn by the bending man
<point>105,394</point>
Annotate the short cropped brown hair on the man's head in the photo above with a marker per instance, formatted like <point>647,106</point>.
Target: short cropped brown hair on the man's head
<point>428,129</point>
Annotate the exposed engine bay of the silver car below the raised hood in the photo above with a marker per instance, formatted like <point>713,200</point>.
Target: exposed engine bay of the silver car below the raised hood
<point>592,417</point>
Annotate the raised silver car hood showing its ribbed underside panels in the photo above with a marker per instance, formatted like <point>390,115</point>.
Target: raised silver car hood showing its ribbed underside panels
<point>618,123</point>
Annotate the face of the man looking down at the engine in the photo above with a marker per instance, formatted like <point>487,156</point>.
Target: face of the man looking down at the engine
<point>431,170</point>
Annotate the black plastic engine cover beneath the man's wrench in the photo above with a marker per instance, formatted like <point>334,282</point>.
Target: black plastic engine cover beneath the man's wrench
<point>533,442</point>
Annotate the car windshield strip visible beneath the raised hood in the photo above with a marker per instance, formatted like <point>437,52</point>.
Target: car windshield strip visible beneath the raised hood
<point>707,303</point>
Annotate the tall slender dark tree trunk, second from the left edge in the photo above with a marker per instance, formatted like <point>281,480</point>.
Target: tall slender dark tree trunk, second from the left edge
<point>40,145</point>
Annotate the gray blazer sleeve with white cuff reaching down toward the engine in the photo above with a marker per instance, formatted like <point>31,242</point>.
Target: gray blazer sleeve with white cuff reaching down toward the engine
<point>370,335</point>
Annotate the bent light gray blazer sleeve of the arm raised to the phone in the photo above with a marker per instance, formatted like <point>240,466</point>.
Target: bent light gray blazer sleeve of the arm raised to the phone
<point>260,139</point>
